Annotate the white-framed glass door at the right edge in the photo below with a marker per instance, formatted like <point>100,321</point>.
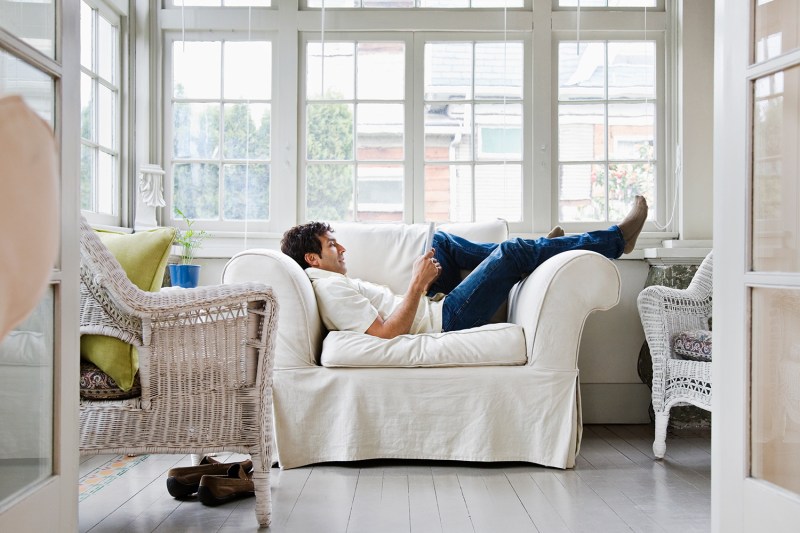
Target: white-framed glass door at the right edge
<point>756,448</point>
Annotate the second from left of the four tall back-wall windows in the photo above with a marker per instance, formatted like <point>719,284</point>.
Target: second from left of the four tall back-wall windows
<point>355,130</point>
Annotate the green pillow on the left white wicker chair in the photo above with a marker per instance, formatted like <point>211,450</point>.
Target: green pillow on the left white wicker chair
<point>143,256</point>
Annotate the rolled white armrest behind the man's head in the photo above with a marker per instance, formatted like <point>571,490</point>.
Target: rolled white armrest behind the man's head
<point>299,337</point>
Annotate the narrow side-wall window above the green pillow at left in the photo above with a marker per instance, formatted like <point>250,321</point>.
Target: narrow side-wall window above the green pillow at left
<point>101,169</point>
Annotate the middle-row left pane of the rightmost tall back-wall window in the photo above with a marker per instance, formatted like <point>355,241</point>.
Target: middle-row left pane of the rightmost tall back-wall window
<point>581,132</point>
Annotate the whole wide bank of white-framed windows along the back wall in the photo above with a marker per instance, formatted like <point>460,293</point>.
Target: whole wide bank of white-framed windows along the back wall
<point>431,114</point>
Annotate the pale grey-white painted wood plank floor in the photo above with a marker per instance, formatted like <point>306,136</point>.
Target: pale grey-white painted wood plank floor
<point>616,486</point>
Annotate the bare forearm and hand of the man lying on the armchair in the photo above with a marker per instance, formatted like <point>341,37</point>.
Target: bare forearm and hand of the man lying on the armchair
<point>425,271</point>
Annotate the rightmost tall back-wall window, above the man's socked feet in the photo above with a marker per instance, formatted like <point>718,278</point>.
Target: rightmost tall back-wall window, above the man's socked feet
<point>606,128</point>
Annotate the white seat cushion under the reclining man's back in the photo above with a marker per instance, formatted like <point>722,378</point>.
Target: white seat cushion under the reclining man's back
<point>489,345</point>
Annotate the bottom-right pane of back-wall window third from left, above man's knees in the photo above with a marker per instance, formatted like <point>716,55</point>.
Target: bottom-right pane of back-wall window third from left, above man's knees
<point>498,192</point>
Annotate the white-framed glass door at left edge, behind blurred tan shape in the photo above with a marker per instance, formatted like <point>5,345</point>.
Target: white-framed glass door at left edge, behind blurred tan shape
<point>39,47</point>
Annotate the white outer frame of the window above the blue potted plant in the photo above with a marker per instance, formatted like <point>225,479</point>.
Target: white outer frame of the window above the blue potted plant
<point>169,217</point>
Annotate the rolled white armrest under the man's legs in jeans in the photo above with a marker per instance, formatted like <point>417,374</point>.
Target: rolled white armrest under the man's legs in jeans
<point>552,305</point>
